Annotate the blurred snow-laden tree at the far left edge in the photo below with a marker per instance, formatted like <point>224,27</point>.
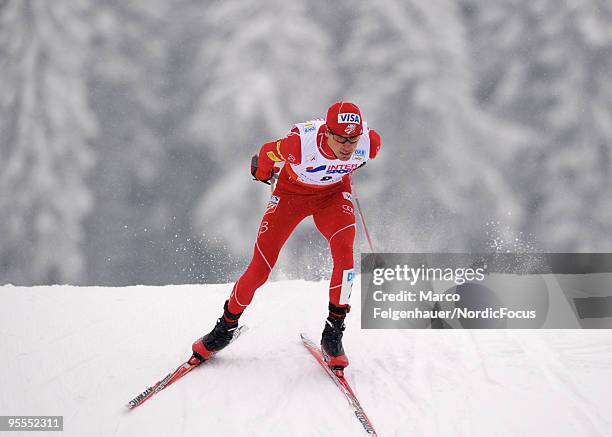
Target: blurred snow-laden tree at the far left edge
<point>46,128</point>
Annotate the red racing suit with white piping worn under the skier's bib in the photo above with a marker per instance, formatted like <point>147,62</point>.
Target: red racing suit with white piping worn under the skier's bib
<point>292,200</point>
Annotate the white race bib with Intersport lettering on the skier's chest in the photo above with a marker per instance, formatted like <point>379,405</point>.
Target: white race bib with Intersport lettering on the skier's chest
<point>315,168</point>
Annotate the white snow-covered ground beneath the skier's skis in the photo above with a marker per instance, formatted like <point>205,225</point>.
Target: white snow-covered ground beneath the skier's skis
<point>84,352</point>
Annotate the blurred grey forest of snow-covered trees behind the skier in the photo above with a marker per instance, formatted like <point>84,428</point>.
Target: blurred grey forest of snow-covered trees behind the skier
<point>126,129</point>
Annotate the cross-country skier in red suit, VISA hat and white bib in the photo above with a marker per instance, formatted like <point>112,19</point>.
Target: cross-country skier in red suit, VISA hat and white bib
<point>319,157</point>
